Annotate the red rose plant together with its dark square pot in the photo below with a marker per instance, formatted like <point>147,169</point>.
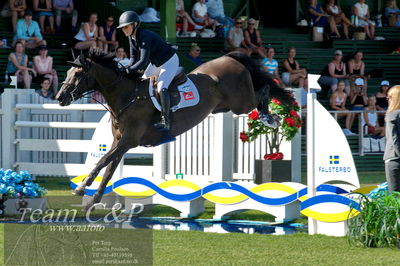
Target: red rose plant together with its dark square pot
<point>273,168</point>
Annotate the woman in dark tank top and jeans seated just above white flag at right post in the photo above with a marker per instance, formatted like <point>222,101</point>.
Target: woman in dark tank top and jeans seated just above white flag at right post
<point>334,72</point>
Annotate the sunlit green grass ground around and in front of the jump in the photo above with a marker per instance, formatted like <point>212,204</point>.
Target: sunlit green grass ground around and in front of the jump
<point>198,248</point>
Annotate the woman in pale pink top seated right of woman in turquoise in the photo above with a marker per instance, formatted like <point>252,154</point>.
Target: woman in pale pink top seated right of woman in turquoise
<point>43,65</point>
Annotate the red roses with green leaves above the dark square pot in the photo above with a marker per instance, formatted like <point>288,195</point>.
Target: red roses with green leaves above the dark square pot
<point>286,131</point>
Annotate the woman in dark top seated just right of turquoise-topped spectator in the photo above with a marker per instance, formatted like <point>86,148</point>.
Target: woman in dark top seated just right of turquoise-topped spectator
<point>293,73</point>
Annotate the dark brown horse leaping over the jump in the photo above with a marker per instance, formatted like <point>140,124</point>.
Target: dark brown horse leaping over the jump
<point>233,82</point>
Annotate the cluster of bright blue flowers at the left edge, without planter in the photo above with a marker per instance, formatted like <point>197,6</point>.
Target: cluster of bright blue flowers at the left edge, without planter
<point>19,185</point>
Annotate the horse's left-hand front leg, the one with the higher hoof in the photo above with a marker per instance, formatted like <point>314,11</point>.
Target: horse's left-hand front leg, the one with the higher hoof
<point>117,148</point>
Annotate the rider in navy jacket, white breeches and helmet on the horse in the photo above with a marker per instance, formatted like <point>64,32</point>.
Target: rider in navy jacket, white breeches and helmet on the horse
<point>151,51</point>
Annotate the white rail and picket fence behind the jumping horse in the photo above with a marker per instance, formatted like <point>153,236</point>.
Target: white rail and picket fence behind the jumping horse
<point>43,138</point>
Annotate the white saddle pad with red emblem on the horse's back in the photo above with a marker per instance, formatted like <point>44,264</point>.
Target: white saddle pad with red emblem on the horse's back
<point>188,93</point>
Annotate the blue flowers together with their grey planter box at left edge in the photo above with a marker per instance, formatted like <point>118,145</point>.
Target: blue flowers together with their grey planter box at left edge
<point>18,191</point>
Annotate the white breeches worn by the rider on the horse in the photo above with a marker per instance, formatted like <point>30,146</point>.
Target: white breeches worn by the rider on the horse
<point>165,72</point>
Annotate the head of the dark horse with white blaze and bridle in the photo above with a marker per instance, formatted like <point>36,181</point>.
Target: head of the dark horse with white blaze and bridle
<point>78,81</point>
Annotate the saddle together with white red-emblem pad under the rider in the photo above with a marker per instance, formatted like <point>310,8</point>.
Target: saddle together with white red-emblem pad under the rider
<point>182,91</point>
